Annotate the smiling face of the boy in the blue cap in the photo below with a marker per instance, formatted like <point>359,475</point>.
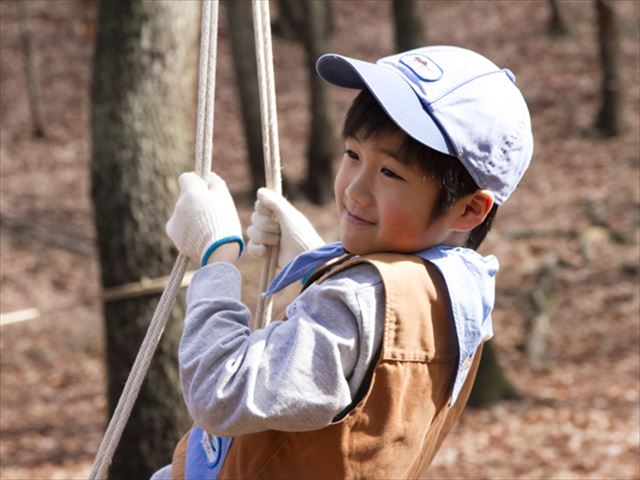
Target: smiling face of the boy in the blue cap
<point>386,205</point>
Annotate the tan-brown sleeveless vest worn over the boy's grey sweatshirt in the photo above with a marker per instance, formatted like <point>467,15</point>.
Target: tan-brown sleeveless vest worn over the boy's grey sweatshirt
<point>399,424</point>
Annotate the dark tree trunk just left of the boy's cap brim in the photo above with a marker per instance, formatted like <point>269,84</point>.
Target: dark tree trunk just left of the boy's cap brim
<point>321,146</point>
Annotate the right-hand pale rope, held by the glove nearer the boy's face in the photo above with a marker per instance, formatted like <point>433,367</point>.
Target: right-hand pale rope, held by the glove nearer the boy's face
<point>271,147</point>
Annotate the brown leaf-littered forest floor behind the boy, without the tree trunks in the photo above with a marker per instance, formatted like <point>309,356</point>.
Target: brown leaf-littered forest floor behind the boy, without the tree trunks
<point>570,234</point>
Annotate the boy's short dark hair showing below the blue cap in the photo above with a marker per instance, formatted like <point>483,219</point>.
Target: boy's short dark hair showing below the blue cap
<point>367,119</point>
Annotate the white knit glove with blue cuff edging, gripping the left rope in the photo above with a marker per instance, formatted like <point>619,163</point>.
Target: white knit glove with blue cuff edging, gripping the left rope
<point>203,215</point>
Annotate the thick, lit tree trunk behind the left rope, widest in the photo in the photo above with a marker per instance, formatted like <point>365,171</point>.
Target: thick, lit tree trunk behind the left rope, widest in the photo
<point>143,106</point>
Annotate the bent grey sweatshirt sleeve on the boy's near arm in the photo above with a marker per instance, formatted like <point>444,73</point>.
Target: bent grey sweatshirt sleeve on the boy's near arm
<point>292,375</point>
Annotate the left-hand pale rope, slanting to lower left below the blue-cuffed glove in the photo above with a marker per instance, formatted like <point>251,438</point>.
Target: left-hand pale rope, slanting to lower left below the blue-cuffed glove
<point>203,151</point>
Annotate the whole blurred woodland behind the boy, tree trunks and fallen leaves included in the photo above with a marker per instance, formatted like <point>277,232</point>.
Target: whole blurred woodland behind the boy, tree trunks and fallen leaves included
<point>97,121</point>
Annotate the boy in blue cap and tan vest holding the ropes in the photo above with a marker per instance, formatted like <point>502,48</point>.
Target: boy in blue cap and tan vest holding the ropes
<point>377,355</point>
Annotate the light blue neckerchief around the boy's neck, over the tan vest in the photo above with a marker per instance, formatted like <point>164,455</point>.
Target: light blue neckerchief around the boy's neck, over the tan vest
<point>470,280</point>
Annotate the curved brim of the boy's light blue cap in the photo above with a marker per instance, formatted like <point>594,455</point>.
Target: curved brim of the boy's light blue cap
<point>394,94</point>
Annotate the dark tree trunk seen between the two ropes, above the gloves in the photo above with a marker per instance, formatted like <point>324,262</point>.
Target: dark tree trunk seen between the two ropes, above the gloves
<point>240,22</point>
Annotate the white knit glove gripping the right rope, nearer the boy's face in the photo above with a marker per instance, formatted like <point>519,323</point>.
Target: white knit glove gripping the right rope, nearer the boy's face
<point>275,221</point>
